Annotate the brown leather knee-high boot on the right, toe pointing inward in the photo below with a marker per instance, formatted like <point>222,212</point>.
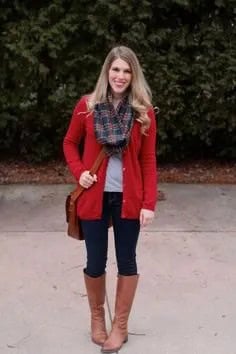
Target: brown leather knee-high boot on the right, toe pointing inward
<point>126,287</point>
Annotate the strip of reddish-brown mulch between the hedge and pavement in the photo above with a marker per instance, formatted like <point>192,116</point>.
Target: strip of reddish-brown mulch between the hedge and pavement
<point>56,172</point>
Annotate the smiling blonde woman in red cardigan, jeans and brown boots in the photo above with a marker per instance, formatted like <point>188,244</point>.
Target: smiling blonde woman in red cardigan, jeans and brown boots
<point>118,115</point>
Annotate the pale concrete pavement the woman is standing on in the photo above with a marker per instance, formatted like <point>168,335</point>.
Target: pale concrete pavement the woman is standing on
<point>185,302</point>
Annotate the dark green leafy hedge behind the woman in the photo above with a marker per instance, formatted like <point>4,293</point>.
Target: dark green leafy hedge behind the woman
<point>51,53</point>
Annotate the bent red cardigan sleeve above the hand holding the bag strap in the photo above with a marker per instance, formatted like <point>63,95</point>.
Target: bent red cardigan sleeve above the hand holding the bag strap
<point>74,134</point>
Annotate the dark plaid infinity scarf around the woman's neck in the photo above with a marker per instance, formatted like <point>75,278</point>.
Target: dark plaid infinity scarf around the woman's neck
<point>113,126</point>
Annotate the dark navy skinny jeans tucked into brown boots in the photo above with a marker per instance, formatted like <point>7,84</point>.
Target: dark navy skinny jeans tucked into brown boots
<point>126,232</point>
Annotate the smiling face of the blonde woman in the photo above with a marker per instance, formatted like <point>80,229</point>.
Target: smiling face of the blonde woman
<point>119,77</point>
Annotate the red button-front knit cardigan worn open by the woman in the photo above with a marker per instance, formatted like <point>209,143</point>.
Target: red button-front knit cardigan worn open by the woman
<point>139,165</point>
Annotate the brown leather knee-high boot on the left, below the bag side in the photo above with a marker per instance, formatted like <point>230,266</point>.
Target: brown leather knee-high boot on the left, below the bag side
<point>96,298</point>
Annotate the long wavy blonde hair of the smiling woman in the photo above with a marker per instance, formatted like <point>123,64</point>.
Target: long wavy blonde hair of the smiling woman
<point>139,93</point>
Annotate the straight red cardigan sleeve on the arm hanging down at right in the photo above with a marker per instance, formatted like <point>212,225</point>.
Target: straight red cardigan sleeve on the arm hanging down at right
<point>149,164</point>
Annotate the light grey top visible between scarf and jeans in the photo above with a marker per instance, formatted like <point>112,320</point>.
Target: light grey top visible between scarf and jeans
<point>114,181</point>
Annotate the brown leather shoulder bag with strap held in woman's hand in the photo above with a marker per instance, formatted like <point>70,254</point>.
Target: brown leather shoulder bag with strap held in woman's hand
<point>74,226</point>
